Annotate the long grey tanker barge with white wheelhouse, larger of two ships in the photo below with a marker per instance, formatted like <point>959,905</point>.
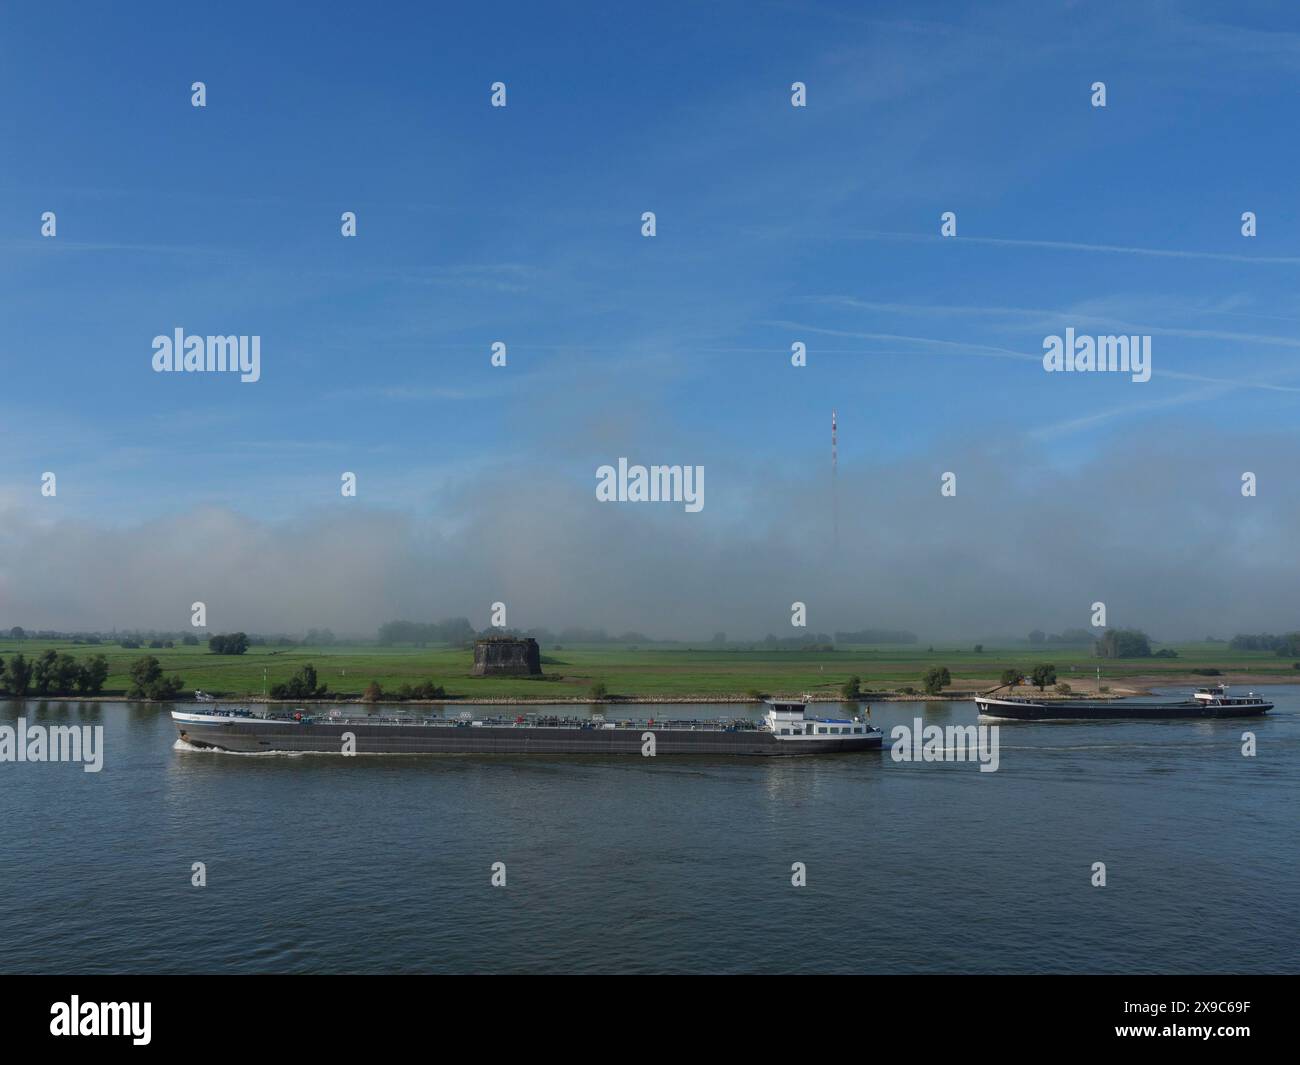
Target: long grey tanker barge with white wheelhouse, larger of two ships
<point>785,730</point>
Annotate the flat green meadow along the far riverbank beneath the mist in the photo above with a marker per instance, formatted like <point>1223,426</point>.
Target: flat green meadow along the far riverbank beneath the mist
<point>670,672</point>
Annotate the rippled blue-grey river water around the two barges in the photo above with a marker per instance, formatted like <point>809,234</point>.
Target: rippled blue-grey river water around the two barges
<point>319,864</point>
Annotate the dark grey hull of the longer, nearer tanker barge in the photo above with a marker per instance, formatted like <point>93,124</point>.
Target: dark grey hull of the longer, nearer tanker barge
<point>250,737</point>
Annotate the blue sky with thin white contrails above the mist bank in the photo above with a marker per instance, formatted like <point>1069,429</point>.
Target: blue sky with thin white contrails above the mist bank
<point>523,226</point>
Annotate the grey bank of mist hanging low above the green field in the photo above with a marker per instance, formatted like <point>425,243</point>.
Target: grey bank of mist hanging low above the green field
<point>1154,525</point>
